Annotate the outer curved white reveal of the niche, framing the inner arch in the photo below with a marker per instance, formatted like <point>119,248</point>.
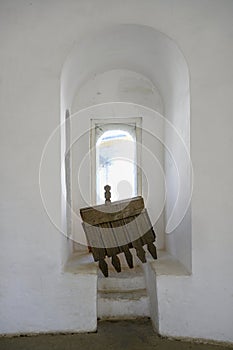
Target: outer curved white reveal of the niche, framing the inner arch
<point>157,57</point>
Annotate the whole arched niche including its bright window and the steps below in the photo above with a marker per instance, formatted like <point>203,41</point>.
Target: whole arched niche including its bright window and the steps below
<point>146,78</point>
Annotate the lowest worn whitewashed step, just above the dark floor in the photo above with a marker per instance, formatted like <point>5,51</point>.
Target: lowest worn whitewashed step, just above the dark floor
<point>127,305</point>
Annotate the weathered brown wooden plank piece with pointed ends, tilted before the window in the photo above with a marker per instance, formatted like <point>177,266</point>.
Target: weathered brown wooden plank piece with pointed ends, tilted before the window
<point>117,227</point>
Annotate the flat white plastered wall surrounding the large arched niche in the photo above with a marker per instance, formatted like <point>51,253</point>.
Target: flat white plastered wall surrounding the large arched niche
<point>36,38</point>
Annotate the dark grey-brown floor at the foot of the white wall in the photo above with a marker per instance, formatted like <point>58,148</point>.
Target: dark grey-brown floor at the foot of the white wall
<point>111,335</point>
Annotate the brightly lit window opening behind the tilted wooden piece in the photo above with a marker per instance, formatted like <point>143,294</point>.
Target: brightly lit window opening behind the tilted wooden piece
<point>116,161</point>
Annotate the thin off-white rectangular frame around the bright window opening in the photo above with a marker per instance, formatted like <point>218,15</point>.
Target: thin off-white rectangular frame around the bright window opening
<point>137,122</point>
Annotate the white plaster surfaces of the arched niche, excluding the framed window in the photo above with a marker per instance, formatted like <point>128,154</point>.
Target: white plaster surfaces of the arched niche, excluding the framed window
<point>149,70</point>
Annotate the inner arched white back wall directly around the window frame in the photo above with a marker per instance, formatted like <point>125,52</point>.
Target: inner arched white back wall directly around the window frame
<point>127,90</point>
